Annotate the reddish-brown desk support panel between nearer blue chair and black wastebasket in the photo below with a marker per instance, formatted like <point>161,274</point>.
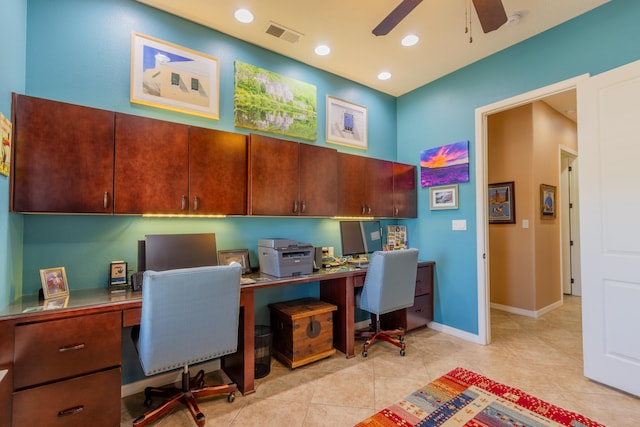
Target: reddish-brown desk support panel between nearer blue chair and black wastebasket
<point>240,365</point>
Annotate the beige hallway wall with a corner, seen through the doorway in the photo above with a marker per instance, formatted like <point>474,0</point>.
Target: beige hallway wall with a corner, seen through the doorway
<point>525,260</point>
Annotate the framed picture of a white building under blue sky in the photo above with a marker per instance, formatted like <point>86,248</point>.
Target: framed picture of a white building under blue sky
<point>169,76</point>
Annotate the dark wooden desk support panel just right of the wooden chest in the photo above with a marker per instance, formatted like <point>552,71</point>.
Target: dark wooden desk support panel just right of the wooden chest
<point>340,293</point>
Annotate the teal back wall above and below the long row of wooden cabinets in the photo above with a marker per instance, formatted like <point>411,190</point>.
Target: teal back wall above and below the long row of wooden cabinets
<point>78,51</point>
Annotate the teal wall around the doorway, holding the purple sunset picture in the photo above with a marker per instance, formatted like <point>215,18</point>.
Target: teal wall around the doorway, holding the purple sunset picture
<point>443,112</point>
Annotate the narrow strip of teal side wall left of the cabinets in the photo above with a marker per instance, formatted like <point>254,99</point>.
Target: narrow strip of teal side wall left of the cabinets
<point>13,42</point>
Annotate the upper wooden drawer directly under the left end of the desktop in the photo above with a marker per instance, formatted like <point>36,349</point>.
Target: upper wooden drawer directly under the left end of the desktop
<point>57,349</point>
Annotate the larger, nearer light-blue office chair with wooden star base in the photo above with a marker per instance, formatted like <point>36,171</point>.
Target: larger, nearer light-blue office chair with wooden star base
<point>188,316</point>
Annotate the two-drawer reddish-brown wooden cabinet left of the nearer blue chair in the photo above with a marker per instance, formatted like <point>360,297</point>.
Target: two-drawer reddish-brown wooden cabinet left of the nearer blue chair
<point>67,371</point>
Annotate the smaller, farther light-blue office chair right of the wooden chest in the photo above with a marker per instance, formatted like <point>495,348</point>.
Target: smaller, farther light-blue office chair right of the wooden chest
<point>389,285</point>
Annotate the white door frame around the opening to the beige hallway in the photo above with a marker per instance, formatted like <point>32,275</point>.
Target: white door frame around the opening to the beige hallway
<point>482,224</point>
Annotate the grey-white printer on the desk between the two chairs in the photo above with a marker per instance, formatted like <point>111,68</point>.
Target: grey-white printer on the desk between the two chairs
<point>284,257</point>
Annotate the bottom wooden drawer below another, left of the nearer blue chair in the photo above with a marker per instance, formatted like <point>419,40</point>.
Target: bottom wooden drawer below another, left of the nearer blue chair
<point>90,400</point>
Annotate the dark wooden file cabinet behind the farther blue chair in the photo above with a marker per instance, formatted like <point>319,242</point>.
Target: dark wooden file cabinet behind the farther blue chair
<point>421,312</point>
